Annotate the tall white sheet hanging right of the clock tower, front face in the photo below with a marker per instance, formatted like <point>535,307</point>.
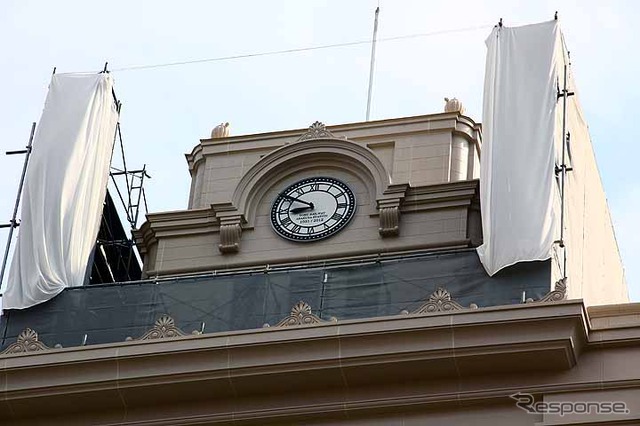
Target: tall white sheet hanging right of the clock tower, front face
<point>518,189</point>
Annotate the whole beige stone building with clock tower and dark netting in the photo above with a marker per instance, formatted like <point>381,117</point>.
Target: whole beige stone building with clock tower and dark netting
<point>329,276</point>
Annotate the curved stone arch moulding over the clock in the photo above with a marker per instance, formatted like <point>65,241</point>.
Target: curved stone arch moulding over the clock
<point>306,154</point>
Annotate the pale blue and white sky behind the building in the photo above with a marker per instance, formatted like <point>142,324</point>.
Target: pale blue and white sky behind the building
<point>166,110</point>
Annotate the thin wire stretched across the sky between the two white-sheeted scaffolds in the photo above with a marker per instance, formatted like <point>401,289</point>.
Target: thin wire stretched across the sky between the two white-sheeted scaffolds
<point>301,49</point>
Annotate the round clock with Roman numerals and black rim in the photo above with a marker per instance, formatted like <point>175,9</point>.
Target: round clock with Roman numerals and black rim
<point>312,209</point>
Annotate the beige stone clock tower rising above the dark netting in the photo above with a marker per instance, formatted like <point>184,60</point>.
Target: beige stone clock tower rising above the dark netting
<point>322,194</point>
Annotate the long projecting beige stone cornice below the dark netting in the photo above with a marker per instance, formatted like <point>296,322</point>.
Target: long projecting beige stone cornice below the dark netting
<point>341,356</point>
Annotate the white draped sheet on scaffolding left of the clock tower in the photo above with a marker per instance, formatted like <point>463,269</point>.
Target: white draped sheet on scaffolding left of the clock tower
<point>65,188</point>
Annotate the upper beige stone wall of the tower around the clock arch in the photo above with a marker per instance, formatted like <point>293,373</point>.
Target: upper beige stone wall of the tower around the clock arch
<point>420,150</point>
